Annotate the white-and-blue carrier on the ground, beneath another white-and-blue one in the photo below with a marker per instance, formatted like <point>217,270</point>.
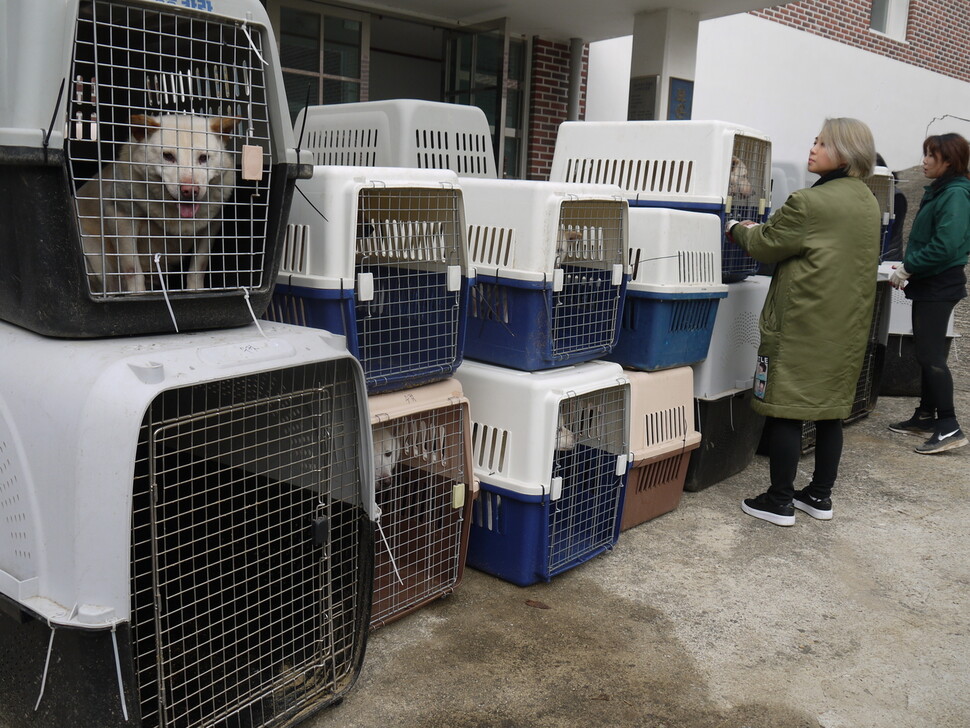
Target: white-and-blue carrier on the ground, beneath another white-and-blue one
<point>551,450</point>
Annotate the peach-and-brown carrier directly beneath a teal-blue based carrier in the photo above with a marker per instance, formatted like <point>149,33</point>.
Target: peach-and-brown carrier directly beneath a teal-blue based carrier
<point>662,437</point>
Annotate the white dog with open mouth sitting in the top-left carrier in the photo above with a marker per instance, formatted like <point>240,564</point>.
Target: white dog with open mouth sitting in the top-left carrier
<point>163,195</point>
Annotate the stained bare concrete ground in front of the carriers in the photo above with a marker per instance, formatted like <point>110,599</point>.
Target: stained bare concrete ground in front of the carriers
<point>709,618</point>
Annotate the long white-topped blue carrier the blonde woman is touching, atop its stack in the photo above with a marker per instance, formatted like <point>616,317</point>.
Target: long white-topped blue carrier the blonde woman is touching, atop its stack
<point>707,166</point>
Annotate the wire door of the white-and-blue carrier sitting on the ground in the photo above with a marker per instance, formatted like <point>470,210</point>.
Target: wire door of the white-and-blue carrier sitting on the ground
<point>591,435</point>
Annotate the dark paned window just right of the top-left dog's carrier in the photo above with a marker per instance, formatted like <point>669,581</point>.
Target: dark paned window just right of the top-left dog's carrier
<point>322,55</point>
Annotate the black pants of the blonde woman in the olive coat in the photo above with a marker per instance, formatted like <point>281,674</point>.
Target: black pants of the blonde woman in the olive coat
<point>785,450</point>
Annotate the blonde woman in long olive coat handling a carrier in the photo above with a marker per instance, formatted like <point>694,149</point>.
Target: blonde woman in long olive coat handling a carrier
<point>816,318</point>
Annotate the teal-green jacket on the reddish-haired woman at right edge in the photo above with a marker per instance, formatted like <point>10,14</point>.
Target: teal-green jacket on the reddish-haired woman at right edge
<point>940,238</point>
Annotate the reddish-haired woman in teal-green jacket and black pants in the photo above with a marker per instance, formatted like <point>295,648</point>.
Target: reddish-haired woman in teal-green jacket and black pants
<point>933,273</point>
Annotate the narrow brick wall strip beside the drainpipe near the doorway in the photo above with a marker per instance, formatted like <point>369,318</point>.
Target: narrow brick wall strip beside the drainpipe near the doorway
<point>549,102</point>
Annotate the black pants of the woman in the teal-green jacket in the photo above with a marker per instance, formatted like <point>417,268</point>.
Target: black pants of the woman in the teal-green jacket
<point>930,319</point>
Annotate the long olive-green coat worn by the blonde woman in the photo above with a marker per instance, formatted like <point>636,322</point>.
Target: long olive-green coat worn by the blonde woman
<point>817,315</point>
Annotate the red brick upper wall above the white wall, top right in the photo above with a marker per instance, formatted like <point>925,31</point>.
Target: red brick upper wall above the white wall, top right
<point>937,33</point>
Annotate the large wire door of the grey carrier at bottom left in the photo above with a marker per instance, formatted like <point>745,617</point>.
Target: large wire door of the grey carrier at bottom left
<point>250,566</point>
